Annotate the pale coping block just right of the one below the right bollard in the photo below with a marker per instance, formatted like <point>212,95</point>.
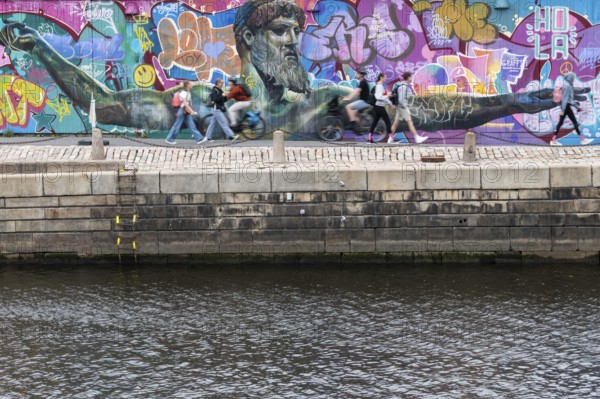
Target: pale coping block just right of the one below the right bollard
<point>518,175</point>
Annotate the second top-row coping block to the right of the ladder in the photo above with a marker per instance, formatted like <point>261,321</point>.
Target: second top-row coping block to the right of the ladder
<point>189,182</point>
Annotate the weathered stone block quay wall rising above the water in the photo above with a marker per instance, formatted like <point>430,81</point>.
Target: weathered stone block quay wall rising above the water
<point>407,213</point>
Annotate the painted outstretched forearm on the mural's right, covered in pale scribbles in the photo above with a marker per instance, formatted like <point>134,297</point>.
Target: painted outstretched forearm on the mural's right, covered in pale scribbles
<point>453,112</point>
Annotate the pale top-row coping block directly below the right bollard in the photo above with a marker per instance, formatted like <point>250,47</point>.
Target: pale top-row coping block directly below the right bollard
<point>448,176</point>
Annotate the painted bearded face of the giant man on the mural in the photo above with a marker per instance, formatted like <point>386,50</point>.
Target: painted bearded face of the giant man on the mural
<point>275,54</point>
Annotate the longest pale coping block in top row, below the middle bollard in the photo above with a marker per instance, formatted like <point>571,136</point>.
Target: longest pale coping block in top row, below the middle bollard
<point>296,177</point>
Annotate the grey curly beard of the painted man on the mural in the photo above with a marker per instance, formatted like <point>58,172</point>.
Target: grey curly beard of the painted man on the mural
<point>287,72</point>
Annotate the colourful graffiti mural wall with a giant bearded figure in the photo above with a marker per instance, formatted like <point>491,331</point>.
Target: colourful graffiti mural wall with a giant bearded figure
<point>474,66</point>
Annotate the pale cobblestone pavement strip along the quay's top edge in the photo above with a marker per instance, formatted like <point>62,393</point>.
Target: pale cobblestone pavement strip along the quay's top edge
<point>155,154</point>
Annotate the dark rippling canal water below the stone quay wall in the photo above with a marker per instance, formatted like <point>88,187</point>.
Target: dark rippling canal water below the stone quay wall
<point>352,332</point>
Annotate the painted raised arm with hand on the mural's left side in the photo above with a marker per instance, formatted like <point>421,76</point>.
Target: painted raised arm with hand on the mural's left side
<point>111,107</point>
